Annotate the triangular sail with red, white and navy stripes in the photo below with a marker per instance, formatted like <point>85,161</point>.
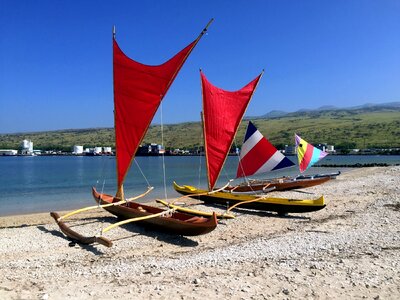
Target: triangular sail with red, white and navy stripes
<point>258,155</point>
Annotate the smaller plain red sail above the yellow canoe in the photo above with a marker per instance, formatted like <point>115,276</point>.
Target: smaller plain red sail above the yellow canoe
<point>223,112</point>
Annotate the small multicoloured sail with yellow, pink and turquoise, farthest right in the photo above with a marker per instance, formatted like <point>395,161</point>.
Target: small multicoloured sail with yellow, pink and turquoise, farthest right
<point>307,154</point>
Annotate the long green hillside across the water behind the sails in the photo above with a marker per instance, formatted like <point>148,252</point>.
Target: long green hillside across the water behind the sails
<point>355,128</point>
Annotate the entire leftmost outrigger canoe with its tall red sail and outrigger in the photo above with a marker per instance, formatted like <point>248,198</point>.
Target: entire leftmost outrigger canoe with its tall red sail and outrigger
<point>138,92</point>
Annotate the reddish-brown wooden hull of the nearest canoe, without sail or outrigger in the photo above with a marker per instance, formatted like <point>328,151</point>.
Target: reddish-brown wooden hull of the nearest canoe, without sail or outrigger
<point>177,223</point>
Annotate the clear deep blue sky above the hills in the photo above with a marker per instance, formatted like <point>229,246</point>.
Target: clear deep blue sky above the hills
<point>56,56</point>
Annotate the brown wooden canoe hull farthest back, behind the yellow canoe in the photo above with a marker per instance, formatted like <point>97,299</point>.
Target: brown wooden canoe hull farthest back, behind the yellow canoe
<point>283,183</point>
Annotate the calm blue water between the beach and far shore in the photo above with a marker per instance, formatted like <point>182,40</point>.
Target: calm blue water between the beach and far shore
<point>46,183</point>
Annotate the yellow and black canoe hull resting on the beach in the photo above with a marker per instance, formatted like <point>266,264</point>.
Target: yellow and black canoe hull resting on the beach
<point>279,205</point>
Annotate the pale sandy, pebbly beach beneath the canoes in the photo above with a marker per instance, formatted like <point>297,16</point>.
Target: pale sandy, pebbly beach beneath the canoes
<point>350,249</point>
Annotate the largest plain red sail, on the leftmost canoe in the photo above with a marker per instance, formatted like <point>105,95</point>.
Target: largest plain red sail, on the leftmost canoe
<point>138,91</point>
